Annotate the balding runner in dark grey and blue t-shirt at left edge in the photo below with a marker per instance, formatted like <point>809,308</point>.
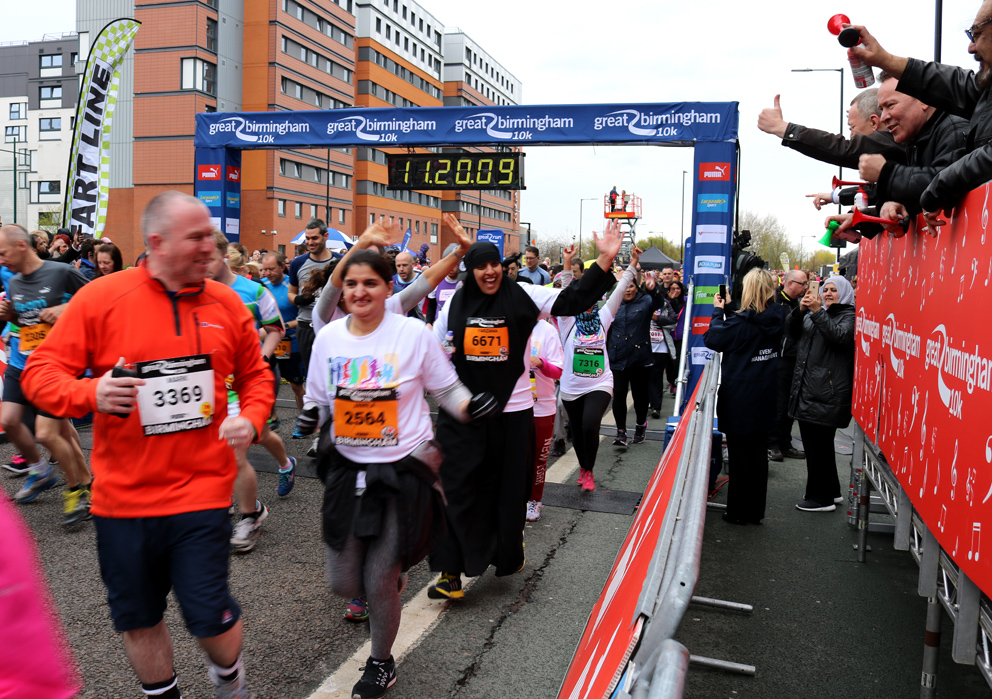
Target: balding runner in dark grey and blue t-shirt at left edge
<point>38,294</point>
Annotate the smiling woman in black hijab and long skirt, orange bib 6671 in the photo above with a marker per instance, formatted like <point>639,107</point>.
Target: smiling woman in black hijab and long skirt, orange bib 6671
<point>486,465</point>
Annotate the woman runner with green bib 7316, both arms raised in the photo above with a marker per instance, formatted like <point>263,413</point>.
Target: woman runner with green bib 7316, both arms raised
<point>586,381</point>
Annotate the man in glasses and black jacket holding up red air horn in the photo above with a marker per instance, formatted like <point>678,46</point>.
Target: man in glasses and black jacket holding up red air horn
<point>958,91</point>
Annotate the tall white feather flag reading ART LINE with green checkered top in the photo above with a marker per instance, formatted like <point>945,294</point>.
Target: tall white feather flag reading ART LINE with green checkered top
<point>88,181</point>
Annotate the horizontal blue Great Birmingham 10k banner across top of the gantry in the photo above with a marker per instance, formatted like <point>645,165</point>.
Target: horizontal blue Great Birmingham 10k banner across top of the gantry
<point>677,123</point>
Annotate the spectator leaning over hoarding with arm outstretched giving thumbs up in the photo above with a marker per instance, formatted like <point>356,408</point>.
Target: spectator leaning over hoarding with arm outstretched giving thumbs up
<point>868,134</point>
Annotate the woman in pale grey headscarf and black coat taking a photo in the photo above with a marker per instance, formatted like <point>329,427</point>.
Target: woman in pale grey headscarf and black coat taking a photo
<point>822,385</point>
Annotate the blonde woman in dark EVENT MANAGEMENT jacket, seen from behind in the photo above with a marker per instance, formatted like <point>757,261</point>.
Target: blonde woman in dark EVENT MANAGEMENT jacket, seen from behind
<point>750,340</point>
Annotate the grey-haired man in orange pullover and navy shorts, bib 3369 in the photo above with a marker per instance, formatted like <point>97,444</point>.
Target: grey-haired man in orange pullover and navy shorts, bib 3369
<point>162,462</point>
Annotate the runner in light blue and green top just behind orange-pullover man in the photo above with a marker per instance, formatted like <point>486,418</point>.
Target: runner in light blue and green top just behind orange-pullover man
<point>264,311</point>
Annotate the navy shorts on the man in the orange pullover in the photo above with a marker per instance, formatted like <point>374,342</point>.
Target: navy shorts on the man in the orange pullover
<point>141,559</point>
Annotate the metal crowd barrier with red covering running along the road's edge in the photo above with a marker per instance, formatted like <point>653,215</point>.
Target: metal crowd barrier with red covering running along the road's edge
<point>627,650</point>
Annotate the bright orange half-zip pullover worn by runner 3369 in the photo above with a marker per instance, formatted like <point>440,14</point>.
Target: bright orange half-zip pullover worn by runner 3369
<point>130,315</point>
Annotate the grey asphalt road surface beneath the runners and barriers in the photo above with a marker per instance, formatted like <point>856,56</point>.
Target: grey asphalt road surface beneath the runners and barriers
<point>823,626</point>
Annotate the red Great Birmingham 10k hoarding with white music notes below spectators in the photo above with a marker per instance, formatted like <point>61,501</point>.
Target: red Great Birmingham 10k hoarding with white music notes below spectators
<point>923,374</point>
